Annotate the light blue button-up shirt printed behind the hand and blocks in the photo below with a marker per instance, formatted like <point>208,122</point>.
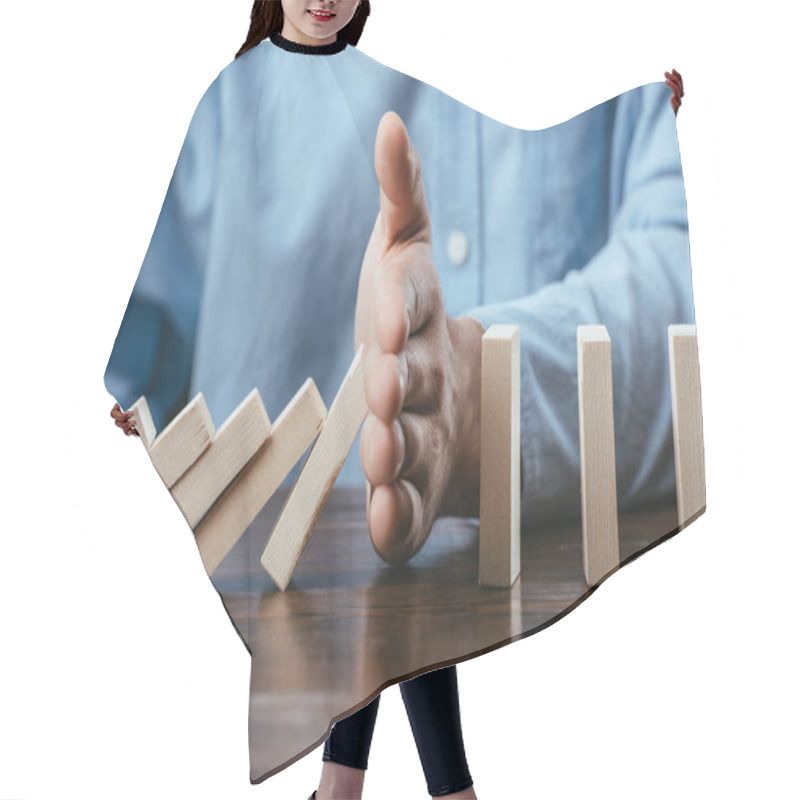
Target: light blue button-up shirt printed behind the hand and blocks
<point>251,275</point>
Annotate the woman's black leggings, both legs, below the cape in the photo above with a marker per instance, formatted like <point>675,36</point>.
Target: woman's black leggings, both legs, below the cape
<point>432,707</point>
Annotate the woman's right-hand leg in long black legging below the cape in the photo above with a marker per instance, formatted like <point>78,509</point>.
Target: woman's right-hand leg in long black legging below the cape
<point>433,711</point>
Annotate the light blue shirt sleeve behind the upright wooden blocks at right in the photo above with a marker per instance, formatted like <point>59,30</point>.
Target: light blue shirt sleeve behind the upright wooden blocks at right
<point>636,285</point>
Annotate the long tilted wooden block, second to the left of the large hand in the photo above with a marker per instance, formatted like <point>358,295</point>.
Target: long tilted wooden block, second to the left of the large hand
<point>292,433</point>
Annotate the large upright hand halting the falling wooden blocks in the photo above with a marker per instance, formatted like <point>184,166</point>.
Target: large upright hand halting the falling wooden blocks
<point>420,445</point>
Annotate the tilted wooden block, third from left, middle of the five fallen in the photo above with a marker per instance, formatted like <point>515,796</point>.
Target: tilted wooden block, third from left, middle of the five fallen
<point>234,444</point>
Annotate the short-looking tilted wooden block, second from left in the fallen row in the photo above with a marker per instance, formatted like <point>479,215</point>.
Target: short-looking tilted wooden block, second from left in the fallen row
<point>183,441</point>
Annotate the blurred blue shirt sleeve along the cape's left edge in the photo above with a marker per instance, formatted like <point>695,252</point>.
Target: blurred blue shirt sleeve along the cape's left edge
<point>153,351</point>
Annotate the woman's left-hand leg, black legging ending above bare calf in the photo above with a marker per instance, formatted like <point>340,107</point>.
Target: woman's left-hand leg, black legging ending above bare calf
<point>345,755</point>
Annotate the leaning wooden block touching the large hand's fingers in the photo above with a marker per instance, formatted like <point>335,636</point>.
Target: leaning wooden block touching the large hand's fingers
<point>308,496</point>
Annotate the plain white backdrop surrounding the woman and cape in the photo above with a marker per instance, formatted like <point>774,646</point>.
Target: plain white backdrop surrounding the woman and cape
<point>120,674</point>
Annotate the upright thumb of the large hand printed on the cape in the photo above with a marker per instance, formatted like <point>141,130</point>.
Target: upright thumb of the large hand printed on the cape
<point>404,210</point>
